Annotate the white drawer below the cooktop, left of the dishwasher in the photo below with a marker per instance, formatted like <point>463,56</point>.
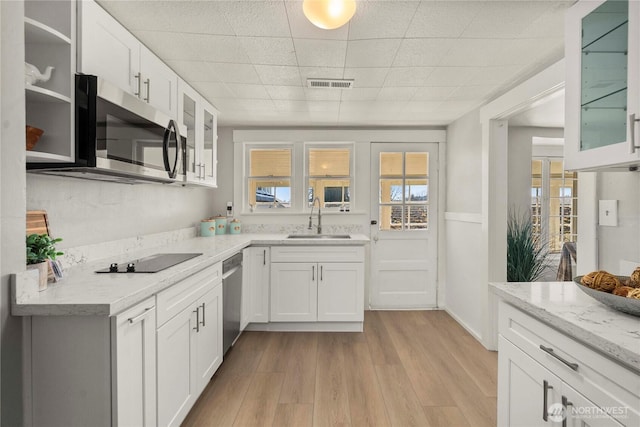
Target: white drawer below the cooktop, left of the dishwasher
<point>173,300</point>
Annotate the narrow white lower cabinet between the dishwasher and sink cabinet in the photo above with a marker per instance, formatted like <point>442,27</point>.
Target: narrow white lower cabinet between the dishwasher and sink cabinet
<point>256,267</point>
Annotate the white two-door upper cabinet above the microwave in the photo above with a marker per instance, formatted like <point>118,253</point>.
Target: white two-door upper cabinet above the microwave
<point>109,50</point>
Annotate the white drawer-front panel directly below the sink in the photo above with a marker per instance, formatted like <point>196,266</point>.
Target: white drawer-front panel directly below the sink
<point>317,254</point>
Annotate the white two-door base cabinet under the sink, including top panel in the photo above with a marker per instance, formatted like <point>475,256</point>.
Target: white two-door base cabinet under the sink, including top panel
<point>310,284</point>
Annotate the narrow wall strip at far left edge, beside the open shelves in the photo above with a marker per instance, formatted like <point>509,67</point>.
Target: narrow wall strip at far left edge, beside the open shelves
<point>12,203</point>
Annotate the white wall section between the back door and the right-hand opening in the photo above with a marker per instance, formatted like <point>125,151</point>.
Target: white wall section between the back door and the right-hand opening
<point>463,222</point>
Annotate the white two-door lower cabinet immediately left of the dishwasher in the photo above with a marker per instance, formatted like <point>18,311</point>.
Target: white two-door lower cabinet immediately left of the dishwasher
<point>189,345</point>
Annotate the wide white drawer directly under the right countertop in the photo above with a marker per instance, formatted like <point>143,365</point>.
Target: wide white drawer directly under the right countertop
<point>600,379</point>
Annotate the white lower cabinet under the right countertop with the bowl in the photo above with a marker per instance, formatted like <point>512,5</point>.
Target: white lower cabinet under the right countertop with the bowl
<point>546,378</point>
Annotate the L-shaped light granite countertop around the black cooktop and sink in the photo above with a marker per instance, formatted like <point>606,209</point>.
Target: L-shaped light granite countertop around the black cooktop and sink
<point>84,292</point>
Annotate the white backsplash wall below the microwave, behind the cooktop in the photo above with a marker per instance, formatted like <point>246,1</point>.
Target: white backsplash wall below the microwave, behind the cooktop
<point>84,212</point>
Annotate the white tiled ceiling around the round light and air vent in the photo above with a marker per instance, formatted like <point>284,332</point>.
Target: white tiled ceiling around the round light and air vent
<point>414,63</point>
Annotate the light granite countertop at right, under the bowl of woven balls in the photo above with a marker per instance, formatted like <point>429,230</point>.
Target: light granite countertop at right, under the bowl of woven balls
<point>565,307</point>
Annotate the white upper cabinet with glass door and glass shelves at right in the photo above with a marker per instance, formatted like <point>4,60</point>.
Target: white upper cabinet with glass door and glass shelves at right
<point>602,50</point>
